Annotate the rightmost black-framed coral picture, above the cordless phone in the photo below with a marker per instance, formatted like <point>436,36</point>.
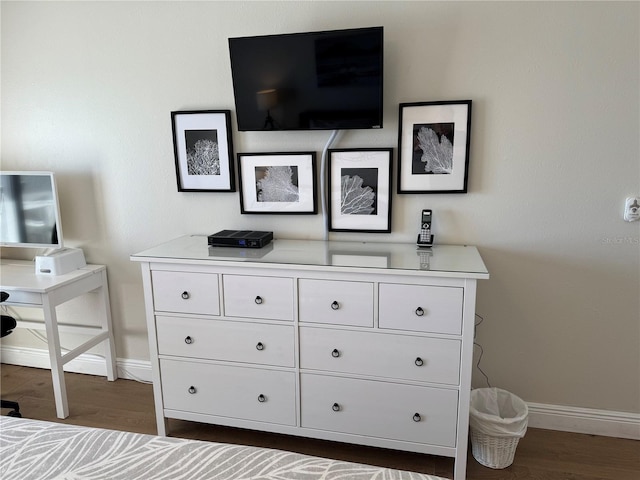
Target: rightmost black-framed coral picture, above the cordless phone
<point>433,147</point>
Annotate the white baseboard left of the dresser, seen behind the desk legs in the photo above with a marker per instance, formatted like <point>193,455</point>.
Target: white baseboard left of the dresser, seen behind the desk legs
<point>87,363</point>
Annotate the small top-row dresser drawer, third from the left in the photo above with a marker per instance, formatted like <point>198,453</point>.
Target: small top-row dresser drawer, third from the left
<point>336,302</point>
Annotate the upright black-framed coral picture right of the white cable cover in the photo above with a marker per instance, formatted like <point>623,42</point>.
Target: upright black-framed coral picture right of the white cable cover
<point>360,190</point>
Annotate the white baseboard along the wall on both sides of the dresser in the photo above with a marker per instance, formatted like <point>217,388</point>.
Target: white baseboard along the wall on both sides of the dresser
<point>549,417</point>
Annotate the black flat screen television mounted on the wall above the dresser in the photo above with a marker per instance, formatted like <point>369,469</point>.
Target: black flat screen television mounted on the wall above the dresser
<point>330,80</point>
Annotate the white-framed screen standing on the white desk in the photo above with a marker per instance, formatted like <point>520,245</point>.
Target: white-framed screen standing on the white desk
<point>29,210</point>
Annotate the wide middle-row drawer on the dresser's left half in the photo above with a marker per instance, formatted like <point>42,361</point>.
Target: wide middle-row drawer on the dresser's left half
<point>226,340</point>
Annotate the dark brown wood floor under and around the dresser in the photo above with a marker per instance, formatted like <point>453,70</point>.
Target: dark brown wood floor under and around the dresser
<point>128,405</point>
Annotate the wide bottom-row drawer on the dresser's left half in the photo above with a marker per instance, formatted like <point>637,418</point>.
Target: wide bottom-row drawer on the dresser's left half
<point>238,392</point>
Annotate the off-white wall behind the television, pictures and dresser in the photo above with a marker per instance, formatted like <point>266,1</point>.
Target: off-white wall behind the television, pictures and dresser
<point>88,87</point>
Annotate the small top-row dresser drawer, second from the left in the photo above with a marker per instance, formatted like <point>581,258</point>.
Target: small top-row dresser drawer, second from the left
<point>258,297</point>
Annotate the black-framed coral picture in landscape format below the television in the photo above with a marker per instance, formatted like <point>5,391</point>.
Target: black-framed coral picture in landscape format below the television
<point>282,183</point>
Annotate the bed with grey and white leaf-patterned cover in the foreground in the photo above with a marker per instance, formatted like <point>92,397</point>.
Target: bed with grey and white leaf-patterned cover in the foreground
<point>32,449</point>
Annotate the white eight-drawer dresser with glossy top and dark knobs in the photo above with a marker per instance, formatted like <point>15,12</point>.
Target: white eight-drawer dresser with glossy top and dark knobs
<point>367,343</point>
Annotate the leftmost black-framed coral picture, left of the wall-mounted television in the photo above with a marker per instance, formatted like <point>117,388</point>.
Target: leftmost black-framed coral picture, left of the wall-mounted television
<point>203,151</point>
